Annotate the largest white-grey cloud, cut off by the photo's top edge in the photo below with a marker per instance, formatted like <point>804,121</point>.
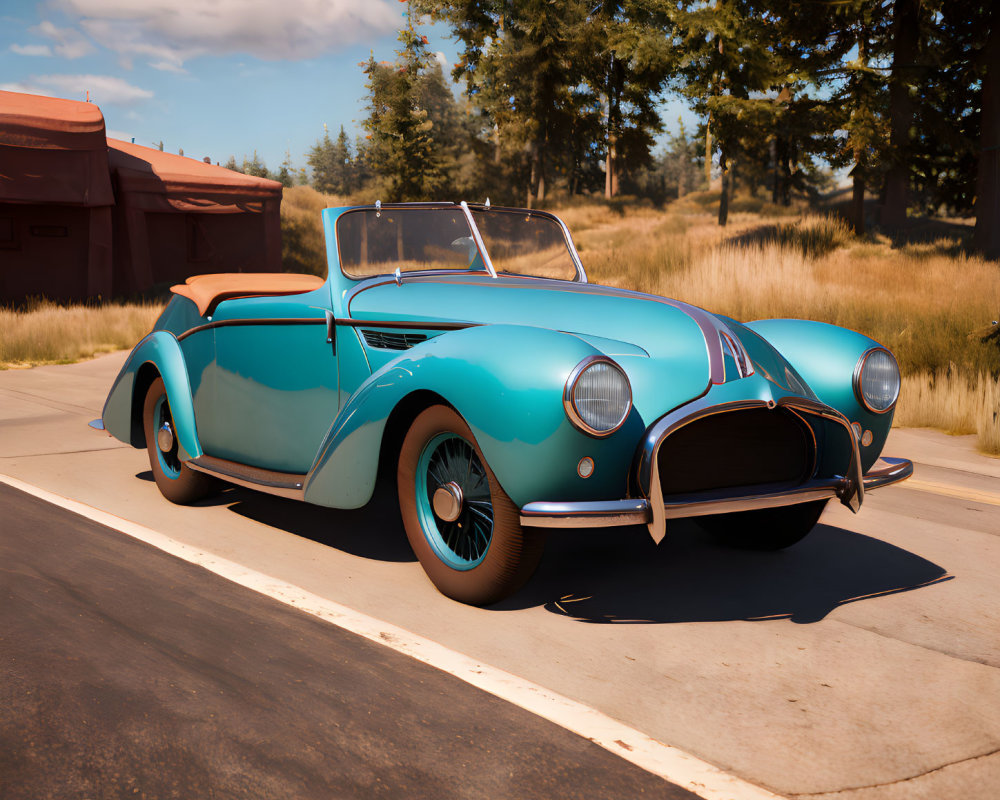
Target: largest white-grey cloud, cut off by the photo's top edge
<point>170,32</point>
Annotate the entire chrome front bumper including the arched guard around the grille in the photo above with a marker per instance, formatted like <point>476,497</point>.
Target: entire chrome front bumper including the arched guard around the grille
<point>654,510</point>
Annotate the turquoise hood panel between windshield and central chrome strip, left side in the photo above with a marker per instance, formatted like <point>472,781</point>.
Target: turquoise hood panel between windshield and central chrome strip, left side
<point>662,345</point>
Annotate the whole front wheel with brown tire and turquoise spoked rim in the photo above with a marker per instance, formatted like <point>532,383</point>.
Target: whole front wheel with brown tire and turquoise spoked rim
<point>462,526</point>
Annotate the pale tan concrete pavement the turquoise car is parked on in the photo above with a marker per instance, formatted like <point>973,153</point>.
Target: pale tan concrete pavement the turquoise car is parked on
<point>863,663</point>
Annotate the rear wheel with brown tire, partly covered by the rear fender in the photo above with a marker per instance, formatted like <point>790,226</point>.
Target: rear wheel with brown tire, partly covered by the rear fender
<point>175,479</point>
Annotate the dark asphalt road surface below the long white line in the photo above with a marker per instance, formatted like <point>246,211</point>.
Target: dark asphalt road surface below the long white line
<point>128,672</point>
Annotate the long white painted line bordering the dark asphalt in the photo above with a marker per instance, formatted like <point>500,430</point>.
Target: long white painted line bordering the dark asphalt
<point>661,759</point>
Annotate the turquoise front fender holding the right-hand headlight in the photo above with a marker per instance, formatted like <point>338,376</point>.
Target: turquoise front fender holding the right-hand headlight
<point>825,356</point>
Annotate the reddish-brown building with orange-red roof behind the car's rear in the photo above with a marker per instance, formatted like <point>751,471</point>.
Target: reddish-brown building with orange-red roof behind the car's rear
<point>84,217</point>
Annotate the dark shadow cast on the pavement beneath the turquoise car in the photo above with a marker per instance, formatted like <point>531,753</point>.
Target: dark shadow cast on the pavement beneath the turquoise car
<point>619,575</point>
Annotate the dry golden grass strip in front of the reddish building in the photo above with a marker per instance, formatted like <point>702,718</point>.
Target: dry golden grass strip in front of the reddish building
<point>49,333</point>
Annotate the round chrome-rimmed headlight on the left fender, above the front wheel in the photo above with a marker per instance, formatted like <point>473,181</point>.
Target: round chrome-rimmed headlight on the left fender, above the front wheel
<point>597,397</point>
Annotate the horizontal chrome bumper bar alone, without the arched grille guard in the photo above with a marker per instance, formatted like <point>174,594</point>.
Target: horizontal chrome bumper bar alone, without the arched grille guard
<point>610,513</point>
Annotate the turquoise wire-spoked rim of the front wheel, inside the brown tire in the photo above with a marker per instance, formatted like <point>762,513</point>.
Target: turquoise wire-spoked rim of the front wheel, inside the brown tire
<point>462,544</point>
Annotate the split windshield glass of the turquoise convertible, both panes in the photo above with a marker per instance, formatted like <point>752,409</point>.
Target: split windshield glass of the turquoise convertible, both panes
<point>517,241</point>
